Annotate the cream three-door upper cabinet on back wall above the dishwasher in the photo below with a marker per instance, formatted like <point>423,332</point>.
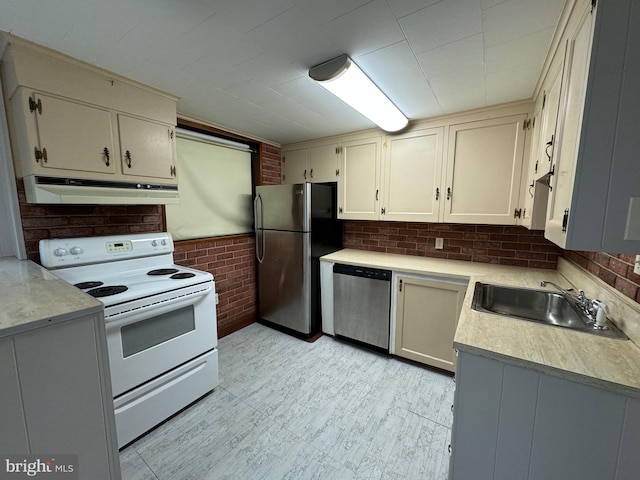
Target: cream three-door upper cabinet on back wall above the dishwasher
<point>461,169</point>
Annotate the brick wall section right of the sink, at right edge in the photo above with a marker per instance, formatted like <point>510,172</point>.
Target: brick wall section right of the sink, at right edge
<point>614,269</point>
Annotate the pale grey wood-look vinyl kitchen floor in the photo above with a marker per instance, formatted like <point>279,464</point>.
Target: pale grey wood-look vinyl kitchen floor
<point>288,409</point>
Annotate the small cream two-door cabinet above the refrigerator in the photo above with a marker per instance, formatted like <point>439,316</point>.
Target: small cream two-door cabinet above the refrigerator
<point>315,163</point>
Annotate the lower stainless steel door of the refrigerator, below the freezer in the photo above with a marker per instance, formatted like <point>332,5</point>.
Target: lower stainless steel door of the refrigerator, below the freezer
<point>284,280</point>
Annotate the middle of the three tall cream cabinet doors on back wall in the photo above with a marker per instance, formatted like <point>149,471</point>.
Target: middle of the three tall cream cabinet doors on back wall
<point>412,173</point>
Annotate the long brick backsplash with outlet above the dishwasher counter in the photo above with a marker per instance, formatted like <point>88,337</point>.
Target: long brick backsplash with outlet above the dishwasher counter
<point>504,245</point>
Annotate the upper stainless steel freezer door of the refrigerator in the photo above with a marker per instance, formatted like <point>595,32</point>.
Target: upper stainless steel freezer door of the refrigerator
<point>283,207</point>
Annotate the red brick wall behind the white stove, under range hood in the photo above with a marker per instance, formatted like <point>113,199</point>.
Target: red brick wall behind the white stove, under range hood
<point>66,221</point>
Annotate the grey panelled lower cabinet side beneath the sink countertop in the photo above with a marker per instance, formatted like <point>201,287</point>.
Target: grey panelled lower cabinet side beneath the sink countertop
<point>516,423</point>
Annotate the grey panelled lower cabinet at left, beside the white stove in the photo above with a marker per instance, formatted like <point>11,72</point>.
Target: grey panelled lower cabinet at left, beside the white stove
<point>56,395</point>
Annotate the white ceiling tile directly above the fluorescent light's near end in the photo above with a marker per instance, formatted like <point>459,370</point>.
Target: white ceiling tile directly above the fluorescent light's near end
<point>364,30</point>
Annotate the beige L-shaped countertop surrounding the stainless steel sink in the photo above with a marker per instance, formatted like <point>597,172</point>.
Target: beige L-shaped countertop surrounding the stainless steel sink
<point>604,362</point>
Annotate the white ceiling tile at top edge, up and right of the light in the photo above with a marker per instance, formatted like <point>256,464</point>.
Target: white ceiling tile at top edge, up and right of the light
<point>442,23</point>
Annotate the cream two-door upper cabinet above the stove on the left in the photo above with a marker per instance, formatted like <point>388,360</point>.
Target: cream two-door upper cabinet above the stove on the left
<point>72,122</point>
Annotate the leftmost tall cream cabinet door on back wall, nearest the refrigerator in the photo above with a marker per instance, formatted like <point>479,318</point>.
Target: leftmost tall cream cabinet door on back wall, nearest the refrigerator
<point>359,180</point>
